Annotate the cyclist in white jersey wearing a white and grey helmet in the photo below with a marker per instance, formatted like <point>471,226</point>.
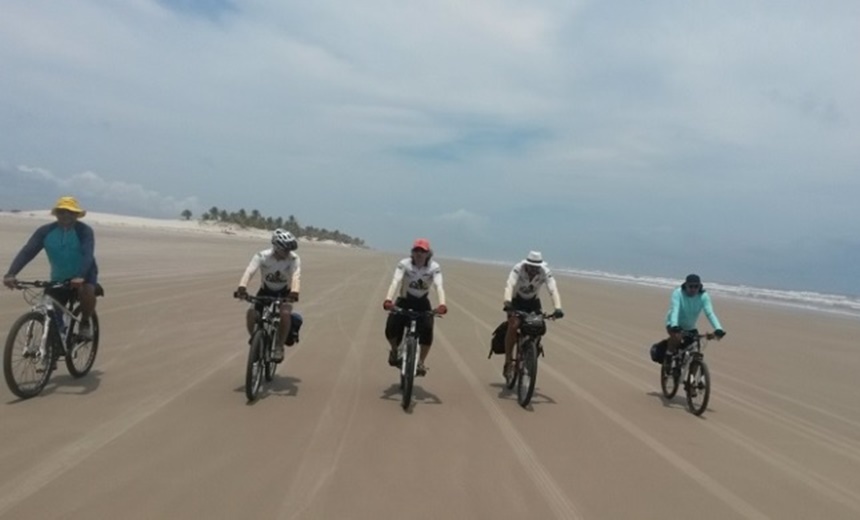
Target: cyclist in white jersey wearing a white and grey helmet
<point>280,274</point>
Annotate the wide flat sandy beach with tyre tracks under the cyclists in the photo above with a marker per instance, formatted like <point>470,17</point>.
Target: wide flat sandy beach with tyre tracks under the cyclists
<point>161,428</point>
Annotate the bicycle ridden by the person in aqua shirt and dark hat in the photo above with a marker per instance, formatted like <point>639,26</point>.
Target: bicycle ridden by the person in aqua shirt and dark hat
<point>687,365</point>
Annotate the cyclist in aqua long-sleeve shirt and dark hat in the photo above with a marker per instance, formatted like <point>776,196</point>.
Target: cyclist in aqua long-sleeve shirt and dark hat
<point>687,303</point>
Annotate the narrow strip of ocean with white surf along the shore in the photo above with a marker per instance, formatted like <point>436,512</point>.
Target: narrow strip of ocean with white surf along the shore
<point>808,300</point>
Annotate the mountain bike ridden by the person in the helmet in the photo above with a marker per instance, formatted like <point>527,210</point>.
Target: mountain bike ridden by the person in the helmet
<point>264,337</point>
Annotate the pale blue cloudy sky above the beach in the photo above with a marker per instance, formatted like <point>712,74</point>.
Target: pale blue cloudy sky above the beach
<point>647,138</point>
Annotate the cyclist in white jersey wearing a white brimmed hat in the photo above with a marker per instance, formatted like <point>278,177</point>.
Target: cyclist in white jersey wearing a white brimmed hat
<point>521,293</point>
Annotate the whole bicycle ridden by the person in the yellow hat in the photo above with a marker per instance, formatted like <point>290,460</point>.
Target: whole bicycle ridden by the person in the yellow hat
<point>48,331</point>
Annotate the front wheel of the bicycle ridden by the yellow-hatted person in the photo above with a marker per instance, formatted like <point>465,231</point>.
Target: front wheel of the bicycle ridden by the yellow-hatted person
<point>27,367</point>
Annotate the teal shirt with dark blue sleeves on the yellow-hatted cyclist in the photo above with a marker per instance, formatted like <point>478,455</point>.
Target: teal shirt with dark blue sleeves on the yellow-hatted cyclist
<point>71,252</point>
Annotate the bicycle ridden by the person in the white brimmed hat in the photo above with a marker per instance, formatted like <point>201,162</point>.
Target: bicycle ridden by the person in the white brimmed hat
<point>524,376</point>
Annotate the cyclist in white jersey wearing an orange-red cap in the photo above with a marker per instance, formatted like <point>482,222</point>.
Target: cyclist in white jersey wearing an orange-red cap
<point>413,277</point>
